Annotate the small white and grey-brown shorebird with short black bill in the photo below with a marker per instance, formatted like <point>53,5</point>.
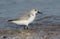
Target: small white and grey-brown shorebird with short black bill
<point>26,19</point>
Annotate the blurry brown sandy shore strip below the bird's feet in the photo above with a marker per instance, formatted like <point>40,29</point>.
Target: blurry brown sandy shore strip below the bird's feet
<point>29,34</point>
